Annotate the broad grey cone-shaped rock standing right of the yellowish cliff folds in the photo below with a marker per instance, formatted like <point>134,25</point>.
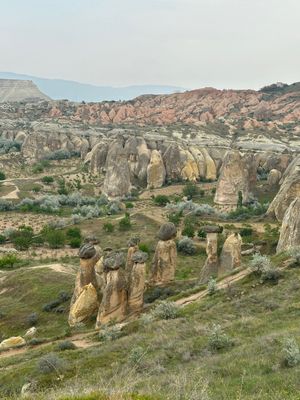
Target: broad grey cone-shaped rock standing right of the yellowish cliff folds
<point>236,175</point>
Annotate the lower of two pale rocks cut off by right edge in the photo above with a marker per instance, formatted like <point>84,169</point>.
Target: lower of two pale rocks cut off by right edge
<point>290,228</point>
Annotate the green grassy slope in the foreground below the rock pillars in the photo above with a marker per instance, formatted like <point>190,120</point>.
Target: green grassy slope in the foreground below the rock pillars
<point>178,358</point>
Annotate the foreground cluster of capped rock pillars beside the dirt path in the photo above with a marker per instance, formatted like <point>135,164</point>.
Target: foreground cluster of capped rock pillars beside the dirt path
<point>113,285</point>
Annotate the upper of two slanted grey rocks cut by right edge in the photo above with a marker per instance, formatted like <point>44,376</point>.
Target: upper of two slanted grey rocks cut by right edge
<point>288,192</point>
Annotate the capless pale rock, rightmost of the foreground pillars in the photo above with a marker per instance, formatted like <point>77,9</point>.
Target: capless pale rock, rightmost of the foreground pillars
<point>231,254</point>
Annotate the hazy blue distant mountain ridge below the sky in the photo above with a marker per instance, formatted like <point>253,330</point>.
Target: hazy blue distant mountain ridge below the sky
<point>58,89</point>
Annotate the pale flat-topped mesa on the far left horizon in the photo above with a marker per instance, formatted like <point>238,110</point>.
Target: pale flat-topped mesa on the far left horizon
<point>12,90</point>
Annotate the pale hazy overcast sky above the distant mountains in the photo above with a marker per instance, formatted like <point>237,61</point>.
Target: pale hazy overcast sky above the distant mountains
<point>187,43</point>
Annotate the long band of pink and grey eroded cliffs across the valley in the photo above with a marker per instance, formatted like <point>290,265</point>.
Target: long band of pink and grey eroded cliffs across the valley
<point>165,138</point>
